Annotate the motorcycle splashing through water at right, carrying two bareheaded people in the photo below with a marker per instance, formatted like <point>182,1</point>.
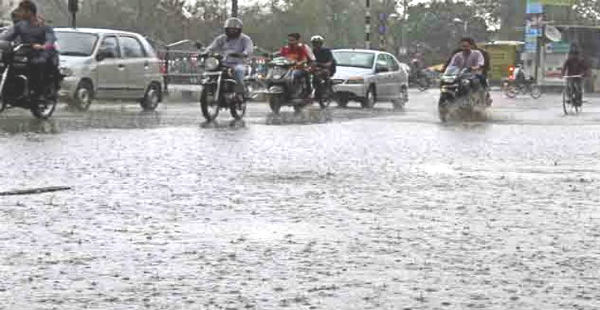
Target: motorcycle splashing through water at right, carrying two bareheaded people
<point>461,92</point>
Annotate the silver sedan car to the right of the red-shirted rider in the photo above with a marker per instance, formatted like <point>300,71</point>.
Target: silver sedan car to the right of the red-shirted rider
<point>369,76</point>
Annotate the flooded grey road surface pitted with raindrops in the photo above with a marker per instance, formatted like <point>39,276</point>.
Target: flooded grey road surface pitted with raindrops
<point>342,209</point>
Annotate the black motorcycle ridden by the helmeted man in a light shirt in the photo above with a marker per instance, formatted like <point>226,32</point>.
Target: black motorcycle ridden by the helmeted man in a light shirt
<point>220,89</point>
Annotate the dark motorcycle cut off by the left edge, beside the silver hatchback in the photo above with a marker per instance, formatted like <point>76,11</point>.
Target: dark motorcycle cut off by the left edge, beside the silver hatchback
<point>15,85</point>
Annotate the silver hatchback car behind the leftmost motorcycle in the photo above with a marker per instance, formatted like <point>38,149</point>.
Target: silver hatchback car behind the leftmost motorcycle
<point>108,64</point>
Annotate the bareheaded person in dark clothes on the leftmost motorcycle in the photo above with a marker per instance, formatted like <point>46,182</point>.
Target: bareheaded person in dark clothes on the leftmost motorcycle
<point>30,29</point>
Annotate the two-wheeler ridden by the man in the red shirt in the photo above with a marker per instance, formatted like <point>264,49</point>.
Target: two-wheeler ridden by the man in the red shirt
<point>285,90</point>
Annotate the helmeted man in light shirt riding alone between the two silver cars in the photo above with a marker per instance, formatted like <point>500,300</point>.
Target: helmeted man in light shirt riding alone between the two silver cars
<point>235,46</point>
